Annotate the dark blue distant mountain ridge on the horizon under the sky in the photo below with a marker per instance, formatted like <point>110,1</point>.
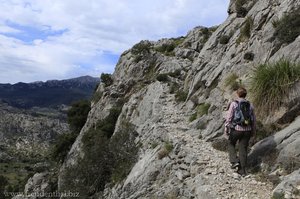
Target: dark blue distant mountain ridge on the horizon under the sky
<point>51,93</point>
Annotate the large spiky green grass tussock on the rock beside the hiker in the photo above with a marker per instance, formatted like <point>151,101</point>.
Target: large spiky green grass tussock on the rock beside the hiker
<point>271,83</point>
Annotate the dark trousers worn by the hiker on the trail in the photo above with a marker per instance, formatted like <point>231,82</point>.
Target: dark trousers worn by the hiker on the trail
<point>243,137</point>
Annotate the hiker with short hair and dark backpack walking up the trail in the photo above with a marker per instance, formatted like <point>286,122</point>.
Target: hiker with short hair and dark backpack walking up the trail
<point>239,126</point>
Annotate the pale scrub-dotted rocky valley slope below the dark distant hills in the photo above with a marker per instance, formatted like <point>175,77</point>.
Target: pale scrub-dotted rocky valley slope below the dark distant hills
<point>28,133</point>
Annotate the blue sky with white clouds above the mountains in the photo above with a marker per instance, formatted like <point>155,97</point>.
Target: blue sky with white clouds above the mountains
<point>60,39</point>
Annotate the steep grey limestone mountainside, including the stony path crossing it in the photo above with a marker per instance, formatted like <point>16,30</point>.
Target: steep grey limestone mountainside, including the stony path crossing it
<point>160,85</point>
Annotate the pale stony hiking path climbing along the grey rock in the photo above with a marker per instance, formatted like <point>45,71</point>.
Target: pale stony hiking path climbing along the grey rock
<point>201,170</point>
